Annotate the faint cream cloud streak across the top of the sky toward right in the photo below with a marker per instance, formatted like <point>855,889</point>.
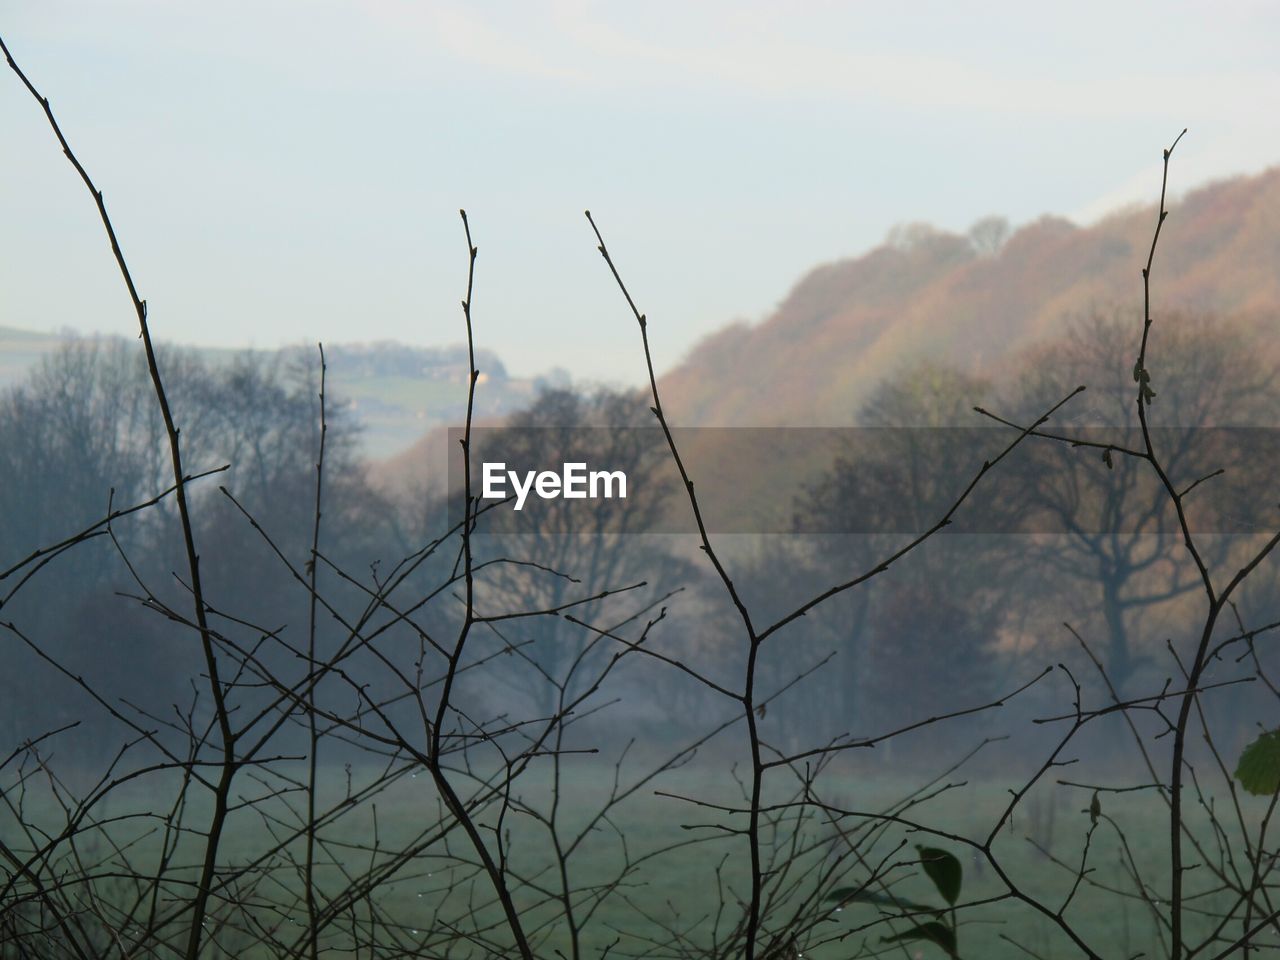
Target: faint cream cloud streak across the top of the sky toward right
<point>819,53</point>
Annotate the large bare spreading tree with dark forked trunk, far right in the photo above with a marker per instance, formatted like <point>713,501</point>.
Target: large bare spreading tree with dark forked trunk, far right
<point>1118,542</point>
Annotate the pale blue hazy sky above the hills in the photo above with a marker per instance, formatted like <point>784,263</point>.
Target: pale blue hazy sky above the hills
<point>287,172</point>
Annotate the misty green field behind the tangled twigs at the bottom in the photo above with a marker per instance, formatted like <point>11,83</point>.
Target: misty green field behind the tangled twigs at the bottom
<point>682,902</point>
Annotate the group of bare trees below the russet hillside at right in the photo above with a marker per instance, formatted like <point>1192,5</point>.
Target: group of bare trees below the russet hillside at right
<point>1066,545</point>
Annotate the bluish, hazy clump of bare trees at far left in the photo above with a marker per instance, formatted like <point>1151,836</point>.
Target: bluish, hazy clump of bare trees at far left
<point>83,433</point>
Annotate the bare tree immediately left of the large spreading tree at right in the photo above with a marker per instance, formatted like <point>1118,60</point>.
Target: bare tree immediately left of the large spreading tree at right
<point>900,473</point>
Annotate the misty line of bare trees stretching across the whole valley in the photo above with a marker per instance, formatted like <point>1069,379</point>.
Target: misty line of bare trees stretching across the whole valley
<point>1067,534</point>
